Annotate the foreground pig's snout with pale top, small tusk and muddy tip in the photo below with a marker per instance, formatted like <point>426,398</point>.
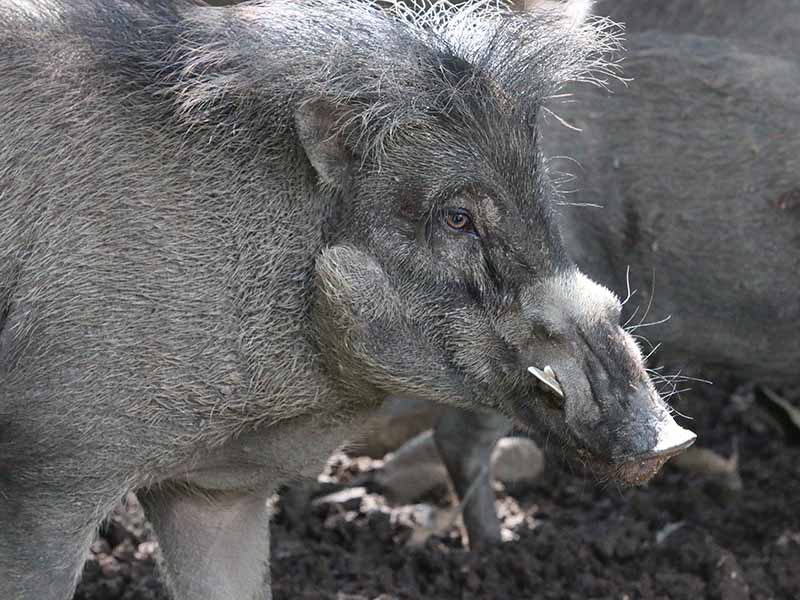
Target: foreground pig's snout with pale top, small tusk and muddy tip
<point>595,384</point>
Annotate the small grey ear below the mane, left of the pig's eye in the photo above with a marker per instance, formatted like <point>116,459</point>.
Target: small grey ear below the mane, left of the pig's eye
<point>324,145</point>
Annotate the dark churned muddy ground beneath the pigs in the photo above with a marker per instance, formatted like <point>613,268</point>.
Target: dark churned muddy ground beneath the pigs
<point>682,536</point>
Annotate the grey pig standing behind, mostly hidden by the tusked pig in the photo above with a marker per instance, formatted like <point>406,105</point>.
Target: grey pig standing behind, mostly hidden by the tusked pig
<point>696,165</point>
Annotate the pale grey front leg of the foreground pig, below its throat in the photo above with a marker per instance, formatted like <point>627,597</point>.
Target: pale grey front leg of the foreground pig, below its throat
<point>215,545</point>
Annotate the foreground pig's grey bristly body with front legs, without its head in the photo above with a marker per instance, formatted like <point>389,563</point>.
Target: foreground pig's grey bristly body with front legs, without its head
<point>153,315</point>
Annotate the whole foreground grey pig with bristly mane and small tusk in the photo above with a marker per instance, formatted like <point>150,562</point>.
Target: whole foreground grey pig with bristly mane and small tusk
<point>227,234</point>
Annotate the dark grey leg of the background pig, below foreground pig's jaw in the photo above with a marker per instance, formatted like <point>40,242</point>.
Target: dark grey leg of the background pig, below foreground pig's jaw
<point>465,441</point>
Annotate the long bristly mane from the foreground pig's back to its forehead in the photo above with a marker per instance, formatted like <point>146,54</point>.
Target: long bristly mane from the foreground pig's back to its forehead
<point>242,71</point>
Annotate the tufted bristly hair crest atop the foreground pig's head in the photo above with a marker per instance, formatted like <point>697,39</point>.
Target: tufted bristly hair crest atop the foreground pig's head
<point>386,65</point>
